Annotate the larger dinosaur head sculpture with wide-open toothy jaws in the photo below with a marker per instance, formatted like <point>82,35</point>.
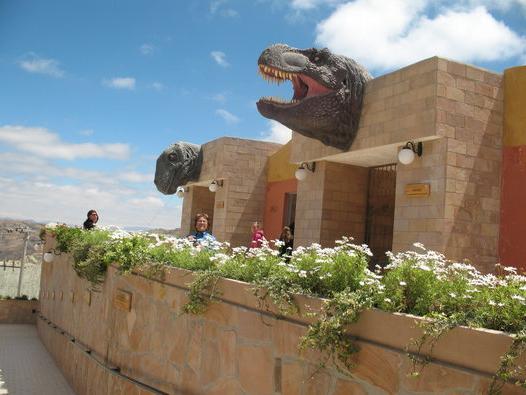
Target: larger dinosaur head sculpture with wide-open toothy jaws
<point>328,93</point>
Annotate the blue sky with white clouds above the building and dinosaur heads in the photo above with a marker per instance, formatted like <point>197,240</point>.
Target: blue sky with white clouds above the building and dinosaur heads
<point>92,92</point>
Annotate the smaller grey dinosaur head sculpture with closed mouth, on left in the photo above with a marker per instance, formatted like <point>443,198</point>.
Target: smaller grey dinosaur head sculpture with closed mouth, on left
<point>179,163</point>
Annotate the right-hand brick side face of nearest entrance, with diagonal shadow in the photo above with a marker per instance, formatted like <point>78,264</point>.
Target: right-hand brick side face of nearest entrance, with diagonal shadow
<point>470,119</point>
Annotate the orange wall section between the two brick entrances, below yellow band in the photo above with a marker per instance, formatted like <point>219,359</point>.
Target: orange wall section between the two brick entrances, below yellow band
<point>274,205</point>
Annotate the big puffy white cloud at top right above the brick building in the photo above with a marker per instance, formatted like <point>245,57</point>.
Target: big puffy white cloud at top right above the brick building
<point>385,35</point>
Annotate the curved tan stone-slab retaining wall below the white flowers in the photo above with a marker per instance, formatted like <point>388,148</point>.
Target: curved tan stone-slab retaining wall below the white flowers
<point>235,347</point>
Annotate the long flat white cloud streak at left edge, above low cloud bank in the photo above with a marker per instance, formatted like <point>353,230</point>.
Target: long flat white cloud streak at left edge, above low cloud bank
<point>43,143</point>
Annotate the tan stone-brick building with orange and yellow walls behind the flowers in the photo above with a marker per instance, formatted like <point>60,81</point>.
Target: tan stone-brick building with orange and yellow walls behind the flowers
<point>463,196</point>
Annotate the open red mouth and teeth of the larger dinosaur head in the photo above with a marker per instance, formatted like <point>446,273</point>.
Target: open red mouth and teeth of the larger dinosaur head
<point>304,86</point>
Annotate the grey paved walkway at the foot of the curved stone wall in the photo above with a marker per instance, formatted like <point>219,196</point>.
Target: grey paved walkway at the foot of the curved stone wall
<point>26,368</point>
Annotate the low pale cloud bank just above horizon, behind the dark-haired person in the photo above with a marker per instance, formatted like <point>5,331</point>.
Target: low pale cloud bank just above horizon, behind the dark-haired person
<point>48,201</point>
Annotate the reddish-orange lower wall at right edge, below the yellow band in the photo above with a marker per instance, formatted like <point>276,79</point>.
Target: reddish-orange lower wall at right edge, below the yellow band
<point>512,243</point>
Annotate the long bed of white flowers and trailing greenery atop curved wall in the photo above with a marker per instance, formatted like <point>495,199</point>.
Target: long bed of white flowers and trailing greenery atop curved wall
<point>421,283</point>
